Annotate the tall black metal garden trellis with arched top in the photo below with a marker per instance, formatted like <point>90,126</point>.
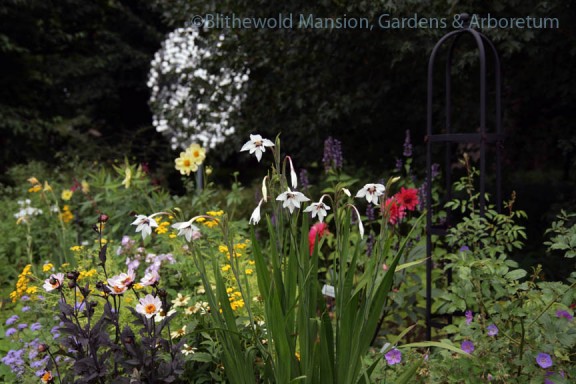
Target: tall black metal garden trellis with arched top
<point>448,138</point>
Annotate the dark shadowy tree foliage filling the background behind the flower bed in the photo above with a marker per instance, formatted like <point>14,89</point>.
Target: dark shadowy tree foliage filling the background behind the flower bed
<point>75,72</point>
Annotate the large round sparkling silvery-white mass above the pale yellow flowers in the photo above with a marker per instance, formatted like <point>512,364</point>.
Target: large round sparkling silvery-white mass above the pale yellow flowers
<point>194,94</point>
